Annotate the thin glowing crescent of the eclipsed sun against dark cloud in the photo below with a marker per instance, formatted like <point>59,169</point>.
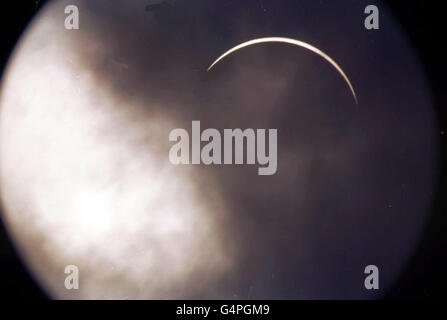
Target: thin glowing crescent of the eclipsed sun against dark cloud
<point>294,42</point>
